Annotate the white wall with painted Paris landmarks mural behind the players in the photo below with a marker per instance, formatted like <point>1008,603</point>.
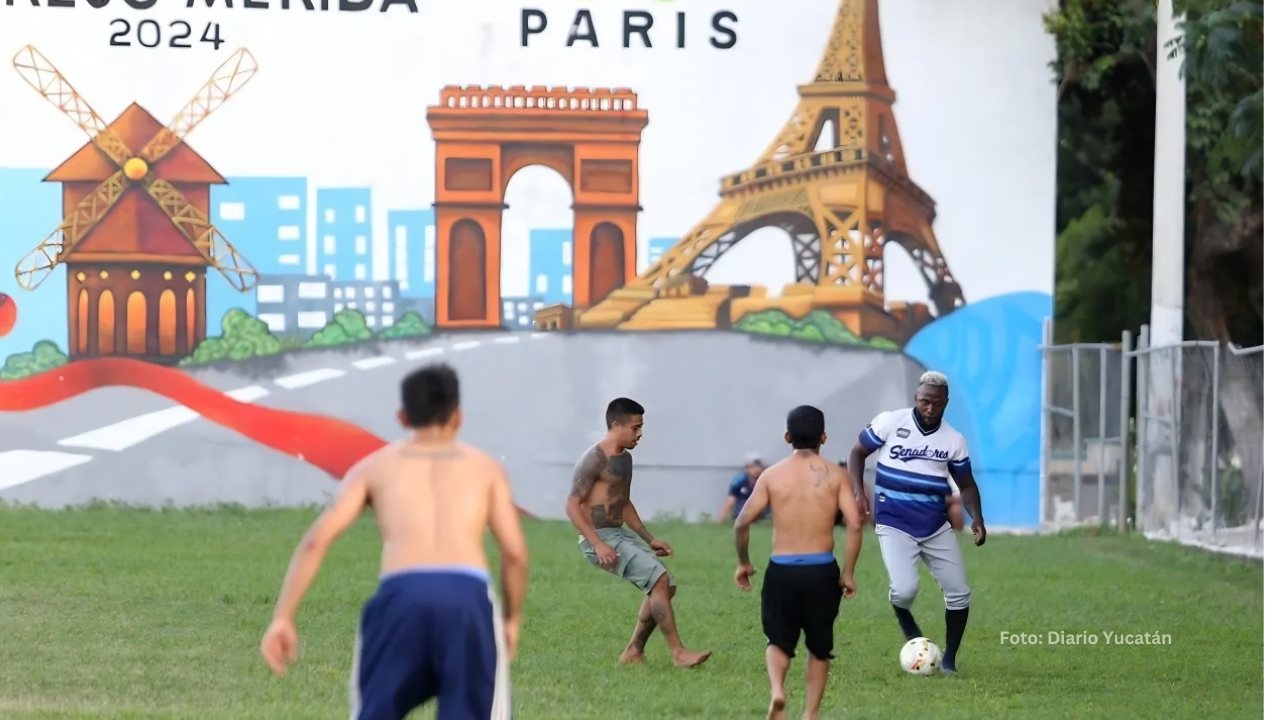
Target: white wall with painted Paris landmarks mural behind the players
<point>230,229</point>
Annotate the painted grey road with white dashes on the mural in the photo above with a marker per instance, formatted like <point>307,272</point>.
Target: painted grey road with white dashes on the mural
<point>536,400</point>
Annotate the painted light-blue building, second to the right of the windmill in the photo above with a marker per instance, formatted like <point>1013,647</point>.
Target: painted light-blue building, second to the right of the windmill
<point>345,234</point>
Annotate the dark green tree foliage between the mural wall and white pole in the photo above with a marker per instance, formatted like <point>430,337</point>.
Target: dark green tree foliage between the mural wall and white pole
<point>1107,151</point>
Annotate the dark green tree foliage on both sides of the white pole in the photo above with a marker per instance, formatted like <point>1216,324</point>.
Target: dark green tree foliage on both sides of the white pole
<point>1107,142</point>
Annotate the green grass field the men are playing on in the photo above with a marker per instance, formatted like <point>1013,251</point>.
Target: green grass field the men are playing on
<point>109,613</point>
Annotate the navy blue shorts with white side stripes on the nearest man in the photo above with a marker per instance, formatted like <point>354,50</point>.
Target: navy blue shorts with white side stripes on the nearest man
<point>431,634</point>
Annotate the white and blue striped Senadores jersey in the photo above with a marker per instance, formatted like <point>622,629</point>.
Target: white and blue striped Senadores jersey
<point>913,471</point>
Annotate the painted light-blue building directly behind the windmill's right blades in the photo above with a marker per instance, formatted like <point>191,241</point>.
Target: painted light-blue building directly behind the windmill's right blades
<point>266,218</point>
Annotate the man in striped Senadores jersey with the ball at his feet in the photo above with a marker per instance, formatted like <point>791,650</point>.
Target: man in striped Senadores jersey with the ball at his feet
<point>918,453</point>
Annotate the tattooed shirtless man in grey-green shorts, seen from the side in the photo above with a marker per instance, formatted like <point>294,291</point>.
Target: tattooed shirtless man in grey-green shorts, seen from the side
<point>600,504</point>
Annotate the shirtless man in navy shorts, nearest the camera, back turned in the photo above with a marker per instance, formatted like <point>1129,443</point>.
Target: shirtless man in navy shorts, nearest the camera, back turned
<point>432,628</point>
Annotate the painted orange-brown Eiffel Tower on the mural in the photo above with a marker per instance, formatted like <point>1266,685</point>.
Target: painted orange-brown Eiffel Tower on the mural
<point>840,208</point>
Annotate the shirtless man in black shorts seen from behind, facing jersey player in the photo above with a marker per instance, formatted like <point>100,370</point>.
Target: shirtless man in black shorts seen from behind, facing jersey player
<point>803,582</point>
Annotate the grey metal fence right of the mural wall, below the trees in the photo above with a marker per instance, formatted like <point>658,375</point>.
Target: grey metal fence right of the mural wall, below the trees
<point>1164,440</point>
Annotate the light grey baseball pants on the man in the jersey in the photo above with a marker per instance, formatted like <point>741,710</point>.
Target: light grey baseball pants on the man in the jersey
<point>941,555</point>
